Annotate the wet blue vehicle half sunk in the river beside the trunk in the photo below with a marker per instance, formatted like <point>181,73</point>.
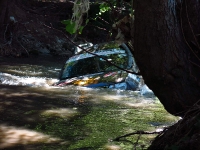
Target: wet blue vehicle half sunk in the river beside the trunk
<point>96,69</point>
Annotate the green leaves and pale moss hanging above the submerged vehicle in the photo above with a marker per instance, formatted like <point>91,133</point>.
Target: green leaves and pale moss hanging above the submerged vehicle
<point>101,10</point>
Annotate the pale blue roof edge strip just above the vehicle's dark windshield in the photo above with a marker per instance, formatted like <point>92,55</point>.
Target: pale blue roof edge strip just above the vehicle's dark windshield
<point>99,52</point>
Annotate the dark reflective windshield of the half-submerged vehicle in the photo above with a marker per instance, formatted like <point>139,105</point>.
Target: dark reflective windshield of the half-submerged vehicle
<point>94,64</point>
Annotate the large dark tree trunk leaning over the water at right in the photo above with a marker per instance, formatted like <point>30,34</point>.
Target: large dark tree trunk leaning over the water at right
<point>166,50</point>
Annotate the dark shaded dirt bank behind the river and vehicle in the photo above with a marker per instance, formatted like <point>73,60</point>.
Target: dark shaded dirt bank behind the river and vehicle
<point>38,30</point>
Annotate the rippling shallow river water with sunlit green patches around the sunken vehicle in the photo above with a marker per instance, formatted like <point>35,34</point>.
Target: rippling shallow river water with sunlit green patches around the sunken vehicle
<point>36,115</point>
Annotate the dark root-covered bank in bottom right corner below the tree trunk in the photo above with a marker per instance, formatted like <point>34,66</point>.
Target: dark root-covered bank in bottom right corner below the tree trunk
<point>183,135</point>
